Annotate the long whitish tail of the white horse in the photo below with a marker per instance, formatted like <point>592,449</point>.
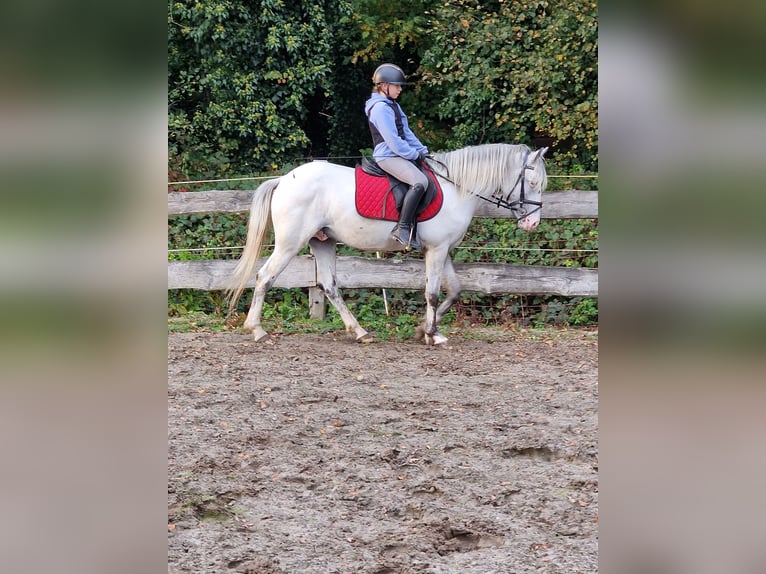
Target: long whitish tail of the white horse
<point>260,217</point>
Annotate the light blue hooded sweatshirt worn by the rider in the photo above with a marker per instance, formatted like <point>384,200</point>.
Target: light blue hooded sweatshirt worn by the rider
<point>380,113</point>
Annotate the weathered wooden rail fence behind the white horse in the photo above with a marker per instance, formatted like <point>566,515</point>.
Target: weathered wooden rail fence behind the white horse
<point>360,272</point>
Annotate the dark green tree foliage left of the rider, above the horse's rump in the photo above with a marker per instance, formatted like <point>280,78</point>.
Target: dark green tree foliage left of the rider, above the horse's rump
<point>242,77</point>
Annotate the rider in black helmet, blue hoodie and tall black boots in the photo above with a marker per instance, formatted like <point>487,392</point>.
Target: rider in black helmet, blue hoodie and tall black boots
<point>396,149</point>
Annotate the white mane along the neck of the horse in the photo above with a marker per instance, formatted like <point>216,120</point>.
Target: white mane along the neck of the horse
<point>488,170</point>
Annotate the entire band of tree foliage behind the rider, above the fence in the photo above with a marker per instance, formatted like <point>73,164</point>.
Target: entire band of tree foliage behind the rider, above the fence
<point>254,85</point>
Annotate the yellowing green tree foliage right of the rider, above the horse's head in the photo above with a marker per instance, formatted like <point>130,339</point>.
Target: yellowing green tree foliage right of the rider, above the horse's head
<point>516,71</point>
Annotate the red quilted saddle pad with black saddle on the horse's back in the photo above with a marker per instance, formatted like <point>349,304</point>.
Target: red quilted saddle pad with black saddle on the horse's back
<point>380,195</point>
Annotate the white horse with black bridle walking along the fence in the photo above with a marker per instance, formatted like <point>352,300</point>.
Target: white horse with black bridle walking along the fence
<point>317,200</point>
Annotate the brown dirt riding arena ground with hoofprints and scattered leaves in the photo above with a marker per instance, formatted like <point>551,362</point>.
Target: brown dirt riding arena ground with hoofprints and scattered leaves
<point>314,454</point>
